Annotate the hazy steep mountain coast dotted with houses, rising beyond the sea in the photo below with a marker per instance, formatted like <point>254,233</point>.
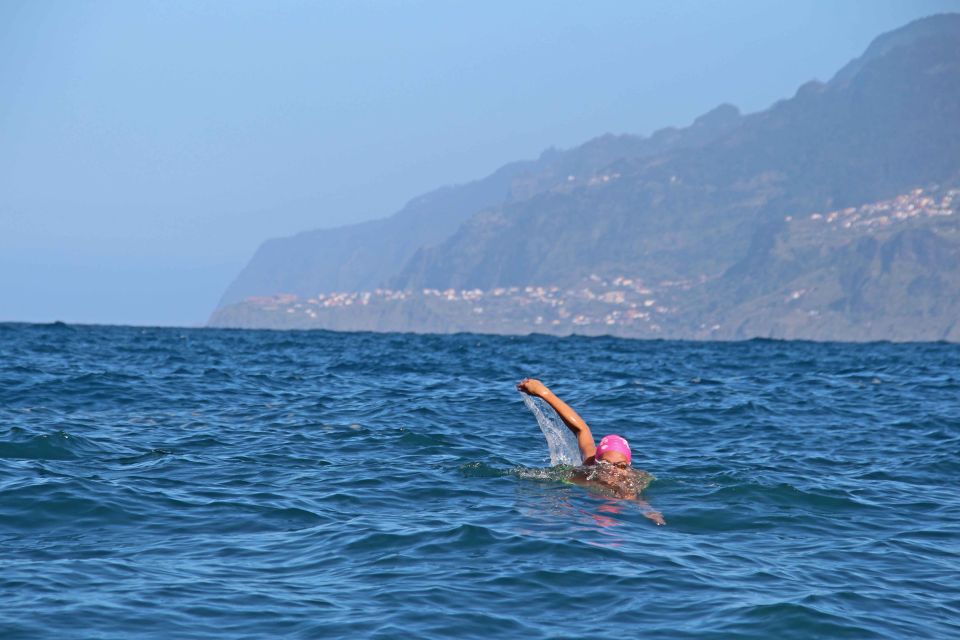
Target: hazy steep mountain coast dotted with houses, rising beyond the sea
<point>733,227</point>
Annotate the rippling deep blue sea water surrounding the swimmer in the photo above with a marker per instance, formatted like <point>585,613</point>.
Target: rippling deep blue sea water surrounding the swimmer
<point>170,483</point>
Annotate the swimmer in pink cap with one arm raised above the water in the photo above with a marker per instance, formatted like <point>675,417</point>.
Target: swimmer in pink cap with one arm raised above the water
<point>607,465</point>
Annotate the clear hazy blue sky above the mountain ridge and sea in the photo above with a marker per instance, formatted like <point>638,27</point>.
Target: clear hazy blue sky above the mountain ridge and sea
<point>147,148</point>
